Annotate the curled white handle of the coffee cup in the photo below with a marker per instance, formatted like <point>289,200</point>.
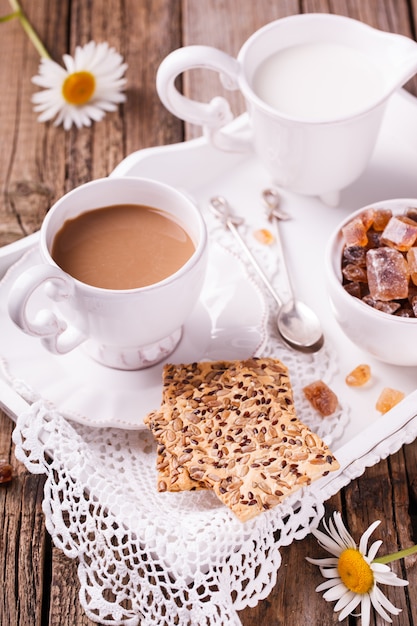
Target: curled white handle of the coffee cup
<point>54,332</point>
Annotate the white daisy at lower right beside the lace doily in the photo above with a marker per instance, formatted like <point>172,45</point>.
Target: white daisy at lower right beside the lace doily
<point>352,573</point>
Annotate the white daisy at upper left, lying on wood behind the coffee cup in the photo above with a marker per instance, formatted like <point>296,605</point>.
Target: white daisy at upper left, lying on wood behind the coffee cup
<point>90,85</point>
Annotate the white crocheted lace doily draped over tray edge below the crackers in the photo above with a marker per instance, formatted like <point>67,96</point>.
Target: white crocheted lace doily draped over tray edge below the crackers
<point>146,557</point>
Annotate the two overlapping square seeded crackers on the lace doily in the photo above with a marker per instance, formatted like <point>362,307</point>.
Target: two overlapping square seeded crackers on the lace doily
<point>231,426</point>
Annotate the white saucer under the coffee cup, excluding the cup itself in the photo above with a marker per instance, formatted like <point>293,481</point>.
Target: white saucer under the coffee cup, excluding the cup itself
<point>228,323</point>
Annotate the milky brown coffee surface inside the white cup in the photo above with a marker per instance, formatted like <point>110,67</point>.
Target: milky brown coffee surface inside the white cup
<point>122,246</point>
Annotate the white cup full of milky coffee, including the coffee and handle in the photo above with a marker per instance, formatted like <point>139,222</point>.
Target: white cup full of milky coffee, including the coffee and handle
<point>130,301</point>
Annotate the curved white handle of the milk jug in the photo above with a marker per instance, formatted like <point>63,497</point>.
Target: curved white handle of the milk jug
<point>212,116</point>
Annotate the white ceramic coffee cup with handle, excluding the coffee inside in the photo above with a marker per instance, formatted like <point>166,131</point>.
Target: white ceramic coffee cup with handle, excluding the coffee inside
<point>120,328</point>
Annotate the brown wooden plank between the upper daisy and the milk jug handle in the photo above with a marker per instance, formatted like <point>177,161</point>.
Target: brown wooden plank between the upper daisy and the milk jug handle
<point>143,33</point>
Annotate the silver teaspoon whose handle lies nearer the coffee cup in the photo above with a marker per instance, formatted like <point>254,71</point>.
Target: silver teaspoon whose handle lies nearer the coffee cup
<point>296,323</point>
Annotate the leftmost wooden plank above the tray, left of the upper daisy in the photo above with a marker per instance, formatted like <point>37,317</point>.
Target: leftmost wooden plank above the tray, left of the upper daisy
<point>28,178</point>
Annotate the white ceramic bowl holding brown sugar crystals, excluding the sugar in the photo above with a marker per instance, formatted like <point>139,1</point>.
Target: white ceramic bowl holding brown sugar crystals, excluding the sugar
<point>386,337</point>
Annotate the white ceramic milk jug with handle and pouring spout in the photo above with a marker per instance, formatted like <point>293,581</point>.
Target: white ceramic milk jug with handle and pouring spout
<point>312,156</point>
